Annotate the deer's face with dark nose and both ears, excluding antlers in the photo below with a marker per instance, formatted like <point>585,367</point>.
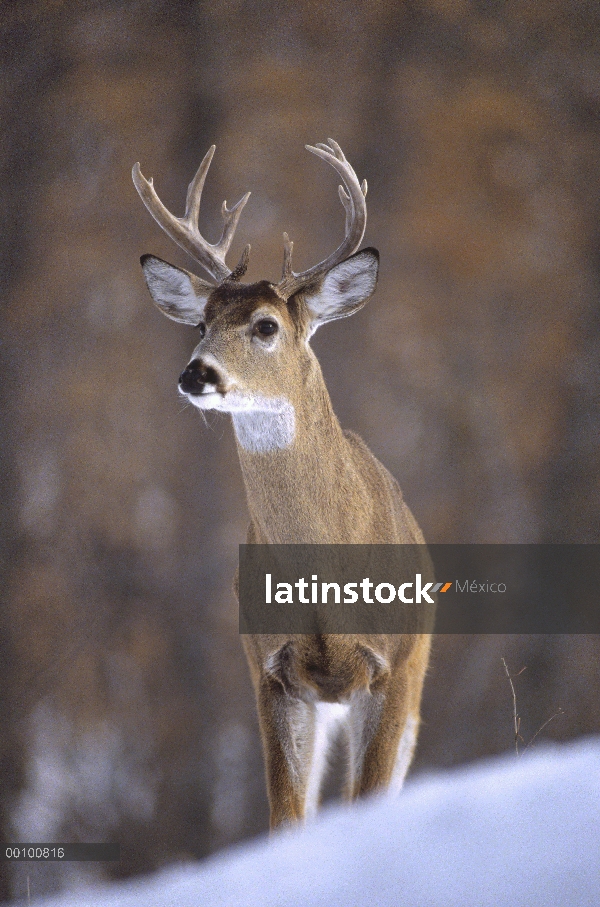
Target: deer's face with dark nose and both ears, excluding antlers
<point>253,353</point>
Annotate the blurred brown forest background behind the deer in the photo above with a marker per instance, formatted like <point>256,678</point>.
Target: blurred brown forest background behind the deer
<point>126,712</point>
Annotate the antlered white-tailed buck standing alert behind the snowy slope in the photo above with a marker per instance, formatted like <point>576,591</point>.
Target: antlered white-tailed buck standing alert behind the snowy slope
<point>307,482</point>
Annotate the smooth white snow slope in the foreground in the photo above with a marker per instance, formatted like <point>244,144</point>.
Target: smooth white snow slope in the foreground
<point>509,832</point>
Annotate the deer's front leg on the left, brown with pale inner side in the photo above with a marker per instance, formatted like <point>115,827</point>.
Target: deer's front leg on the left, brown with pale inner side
<point>287,728</point>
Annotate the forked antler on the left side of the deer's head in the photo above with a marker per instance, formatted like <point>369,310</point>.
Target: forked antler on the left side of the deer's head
<point>184,230</point>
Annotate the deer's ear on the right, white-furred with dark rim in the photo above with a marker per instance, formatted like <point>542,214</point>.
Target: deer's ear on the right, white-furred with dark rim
<point>344,290</point>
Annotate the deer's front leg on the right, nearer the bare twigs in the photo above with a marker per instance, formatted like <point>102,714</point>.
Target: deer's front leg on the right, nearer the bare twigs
<point>382,737</point>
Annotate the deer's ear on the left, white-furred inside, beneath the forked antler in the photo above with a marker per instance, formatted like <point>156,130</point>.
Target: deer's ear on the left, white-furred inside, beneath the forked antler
<point>177,293</point>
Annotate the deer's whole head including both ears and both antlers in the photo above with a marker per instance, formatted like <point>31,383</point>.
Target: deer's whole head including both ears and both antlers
<point>253,348</point>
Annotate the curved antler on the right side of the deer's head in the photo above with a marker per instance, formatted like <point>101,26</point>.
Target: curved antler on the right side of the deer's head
<point>355,206</point>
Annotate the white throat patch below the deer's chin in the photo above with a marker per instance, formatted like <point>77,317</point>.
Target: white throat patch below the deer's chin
<point>268,429</point>
